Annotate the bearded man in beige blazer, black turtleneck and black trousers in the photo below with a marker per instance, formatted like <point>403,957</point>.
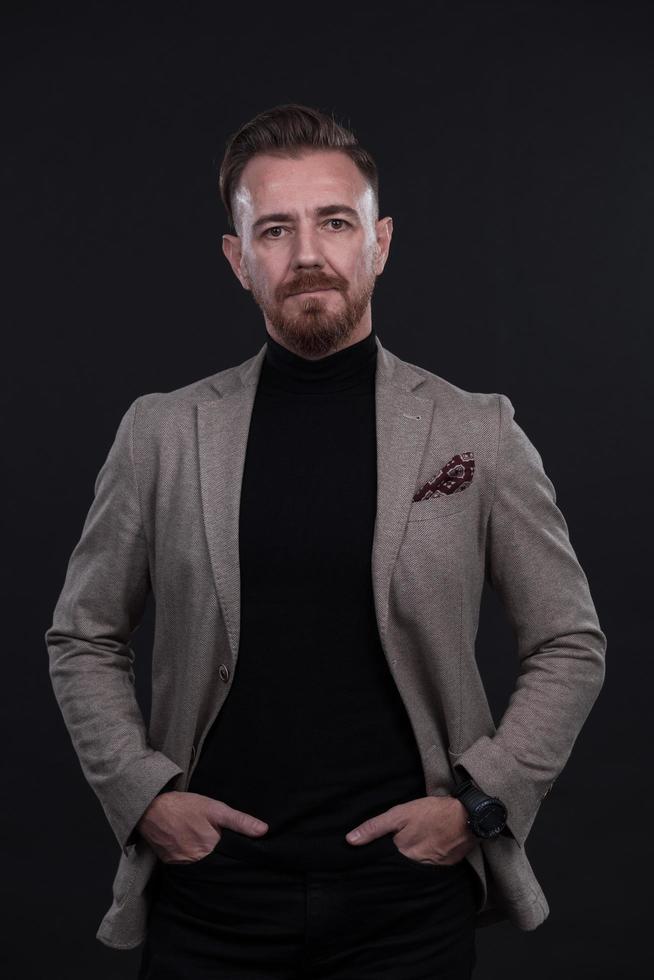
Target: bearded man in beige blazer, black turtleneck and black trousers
<point>321,786</point>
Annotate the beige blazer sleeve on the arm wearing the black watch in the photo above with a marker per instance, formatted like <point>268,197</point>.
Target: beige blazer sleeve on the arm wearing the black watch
<point>561,649</point>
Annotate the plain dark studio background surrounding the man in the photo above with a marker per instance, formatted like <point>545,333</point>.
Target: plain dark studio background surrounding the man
<point>515,148</point>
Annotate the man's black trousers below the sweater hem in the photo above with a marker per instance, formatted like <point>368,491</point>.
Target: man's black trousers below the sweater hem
<point>223,919</point>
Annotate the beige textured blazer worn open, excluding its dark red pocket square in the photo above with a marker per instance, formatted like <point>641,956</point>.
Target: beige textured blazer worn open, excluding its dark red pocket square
<point>165,518</point>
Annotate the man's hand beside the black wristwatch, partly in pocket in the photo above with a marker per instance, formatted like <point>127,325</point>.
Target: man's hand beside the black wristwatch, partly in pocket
<point>432,829</point>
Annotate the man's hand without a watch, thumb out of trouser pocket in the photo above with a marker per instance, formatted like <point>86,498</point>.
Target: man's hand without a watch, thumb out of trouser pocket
<point>184,827</point>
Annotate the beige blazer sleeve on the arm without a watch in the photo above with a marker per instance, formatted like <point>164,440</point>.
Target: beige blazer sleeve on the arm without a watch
<point>91,661</point>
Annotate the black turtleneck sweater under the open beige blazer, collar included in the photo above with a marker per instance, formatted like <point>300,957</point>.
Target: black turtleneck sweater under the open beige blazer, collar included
<point>313,737</point>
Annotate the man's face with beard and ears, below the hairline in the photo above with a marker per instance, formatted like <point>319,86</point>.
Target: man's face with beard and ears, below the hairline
<point>309,248</point>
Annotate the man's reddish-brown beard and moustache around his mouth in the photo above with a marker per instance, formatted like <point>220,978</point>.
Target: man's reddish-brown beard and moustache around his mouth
<point>313,330</point>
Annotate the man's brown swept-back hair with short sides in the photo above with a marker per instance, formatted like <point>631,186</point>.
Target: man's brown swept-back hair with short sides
<point>288,131</point>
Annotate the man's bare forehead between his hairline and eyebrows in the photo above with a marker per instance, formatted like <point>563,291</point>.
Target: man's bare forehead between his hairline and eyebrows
<point>313,179</point>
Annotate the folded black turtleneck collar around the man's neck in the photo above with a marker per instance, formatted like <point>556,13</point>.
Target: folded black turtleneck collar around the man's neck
<point>346,368</point>
